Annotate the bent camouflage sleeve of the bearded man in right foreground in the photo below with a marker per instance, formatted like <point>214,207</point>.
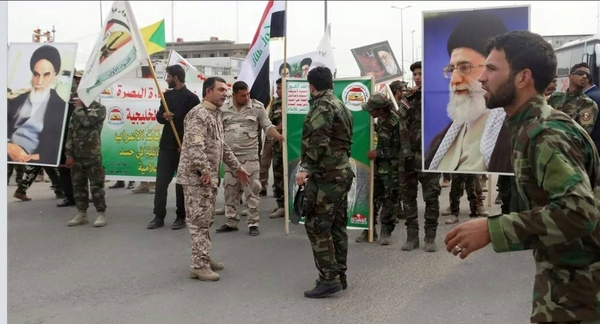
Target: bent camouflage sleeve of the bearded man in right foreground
<point>558,166</point>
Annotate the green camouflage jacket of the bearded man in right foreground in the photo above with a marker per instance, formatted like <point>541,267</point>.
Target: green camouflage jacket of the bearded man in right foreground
<point>556,170</point>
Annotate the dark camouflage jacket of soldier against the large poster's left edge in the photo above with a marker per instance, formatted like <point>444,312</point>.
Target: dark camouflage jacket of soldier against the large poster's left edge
<point>410,131</point>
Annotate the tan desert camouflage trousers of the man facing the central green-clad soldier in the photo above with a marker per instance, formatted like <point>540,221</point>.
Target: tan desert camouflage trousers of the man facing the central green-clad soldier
<point>199,211</point>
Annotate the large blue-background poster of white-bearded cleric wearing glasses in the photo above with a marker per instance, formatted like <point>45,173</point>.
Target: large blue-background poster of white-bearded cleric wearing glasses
<point>461,135</point>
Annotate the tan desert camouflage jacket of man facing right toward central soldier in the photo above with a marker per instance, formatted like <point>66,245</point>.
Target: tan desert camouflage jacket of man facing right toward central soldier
<point>203,146</point>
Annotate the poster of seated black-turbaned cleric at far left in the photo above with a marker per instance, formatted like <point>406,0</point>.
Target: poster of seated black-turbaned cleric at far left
<point>39,89</point>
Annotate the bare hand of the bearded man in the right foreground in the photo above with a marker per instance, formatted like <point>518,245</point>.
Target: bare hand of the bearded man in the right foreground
<point>468,237</point>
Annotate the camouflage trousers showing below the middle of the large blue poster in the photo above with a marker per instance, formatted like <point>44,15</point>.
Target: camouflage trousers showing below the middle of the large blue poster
<point>460,183</point>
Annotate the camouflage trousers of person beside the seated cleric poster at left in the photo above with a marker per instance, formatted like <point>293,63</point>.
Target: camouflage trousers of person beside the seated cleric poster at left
<point>88,170</point>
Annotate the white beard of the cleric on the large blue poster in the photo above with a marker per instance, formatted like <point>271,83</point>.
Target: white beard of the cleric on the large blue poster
<point>466,108</point>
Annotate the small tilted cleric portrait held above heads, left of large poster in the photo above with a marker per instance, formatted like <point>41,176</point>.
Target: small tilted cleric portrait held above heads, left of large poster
<point>377,60</point>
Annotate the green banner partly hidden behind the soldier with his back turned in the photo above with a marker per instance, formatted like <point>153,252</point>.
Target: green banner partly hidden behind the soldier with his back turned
<point>353,92</point>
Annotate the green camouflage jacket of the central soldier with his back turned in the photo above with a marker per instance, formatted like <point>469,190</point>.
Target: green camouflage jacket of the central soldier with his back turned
<point>326,135</point>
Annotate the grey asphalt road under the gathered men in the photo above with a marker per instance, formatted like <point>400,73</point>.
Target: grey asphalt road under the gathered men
<point>124,273</point>
